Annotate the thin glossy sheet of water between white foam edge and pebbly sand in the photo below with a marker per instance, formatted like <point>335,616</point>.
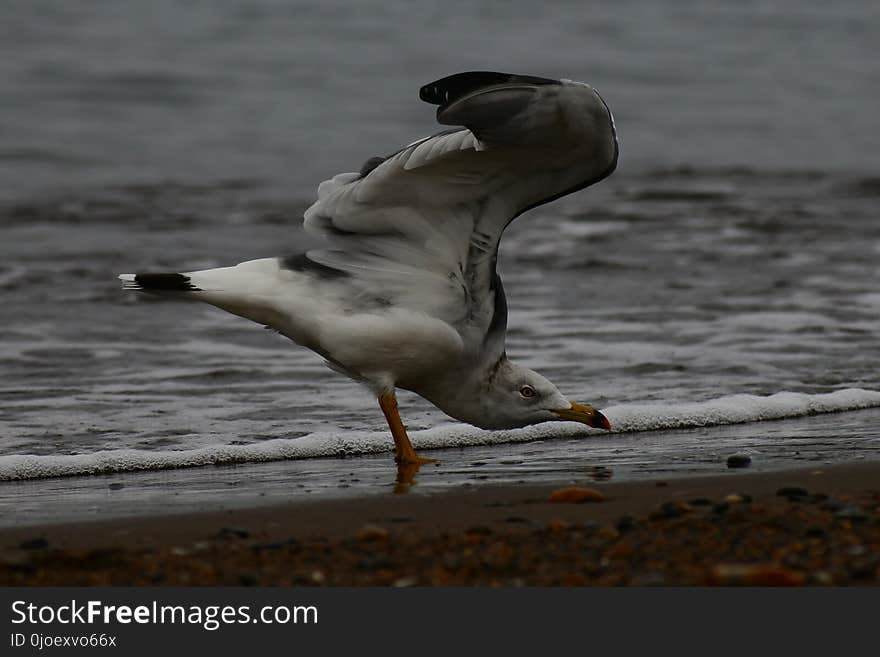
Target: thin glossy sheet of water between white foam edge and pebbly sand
<point>773,446</point>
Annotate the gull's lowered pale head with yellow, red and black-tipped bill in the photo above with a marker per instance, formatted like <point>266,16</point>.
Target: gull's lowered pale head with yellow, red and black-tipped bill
<point>515,396</point>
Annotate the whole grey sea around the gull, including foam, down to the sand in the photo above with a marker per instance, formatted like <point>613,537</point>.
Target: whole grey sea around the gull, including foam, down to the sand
<point>734,252</point>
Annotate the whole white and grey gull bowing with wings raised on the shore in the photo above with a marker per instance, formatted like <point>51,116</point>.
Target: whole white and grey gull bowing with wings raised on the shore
<point>403,291</point>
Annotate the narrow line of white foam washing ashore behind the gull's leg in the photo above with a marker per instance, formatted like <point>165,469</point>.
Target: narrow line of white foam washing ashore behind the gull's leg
<point>626,418</point>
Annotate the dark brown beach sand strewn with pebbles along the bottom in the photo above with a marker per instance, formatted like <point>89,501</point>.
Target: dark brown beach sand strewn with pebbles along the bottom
<point>818,526</point>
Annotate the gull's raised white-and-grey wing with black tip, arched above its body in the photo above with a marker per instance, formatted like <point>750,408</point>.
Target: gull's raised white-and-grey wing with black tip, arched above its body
<point>420,228</point>
